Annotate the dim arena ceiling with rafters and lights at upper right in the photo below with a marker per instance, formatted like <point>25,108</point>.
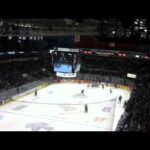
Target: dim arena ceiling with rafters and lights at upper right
<point>107,27</point>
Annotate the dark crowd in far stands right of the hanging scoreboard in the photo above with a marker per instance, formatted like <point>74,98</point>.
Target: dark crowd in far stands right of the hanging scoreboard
<point>114,66</point>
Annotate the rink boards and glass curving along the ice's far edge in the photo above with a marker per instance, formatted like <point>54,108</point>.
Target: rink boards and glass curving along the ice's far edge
<point>81,78</point>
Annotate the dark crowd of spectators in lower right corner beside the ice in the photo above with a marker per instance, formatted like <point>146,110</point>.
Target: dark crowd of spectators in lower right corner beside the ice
<point>137,109</point>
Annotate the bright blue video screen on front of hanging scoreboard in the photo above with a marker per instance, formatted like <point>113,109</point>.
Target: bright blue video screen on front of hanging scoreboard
<point>66,68</point>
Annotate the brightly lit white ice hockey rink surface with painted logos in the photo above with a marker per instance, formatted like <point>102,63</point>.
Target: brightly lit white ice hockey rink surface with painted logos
<point>60,107</point>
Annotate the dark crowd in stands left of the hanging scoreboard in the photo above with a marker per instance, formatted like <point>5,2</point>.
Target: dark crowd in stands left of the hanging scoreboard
<point>13,74</point>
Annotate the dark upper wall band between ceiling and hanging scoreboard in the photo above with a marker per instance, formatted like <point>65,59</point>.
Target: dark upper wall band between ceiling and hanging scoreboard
<point>69,41</point>
